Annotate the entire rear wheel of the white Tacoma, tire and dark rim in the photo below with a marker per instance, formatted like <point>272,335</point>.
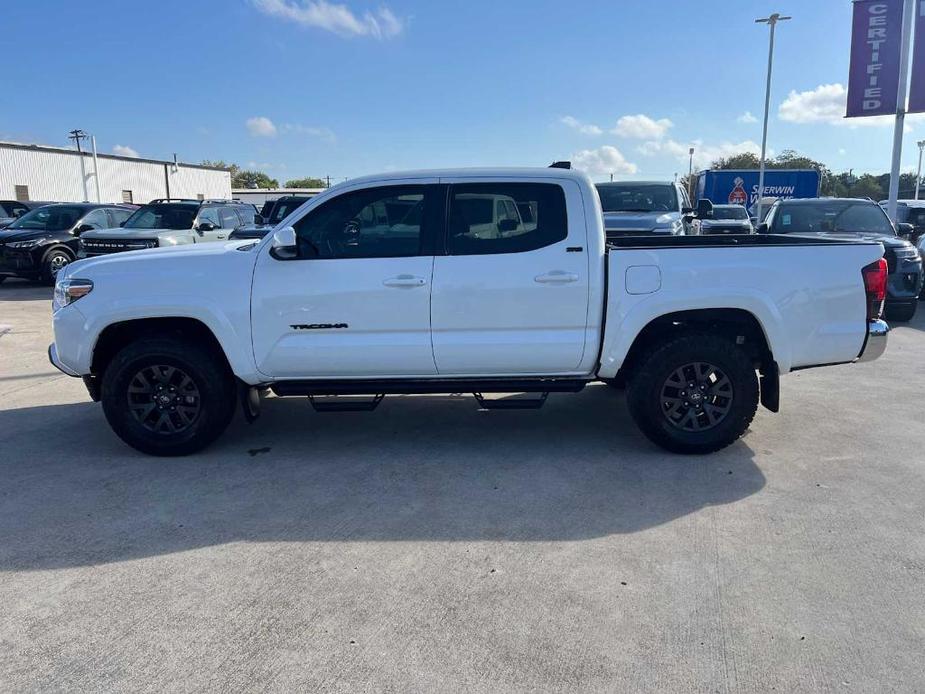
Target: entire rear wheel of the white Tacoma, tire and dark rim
<point>695,394</point>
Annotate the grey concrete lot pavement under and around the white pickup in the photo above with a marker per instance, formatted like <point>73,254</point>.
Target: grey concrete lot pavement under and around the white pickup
<point>430,546</point>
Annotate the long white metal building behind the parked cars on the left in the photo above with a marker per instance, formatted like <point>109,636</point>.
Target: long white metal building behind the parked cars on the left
<point>59,174</point>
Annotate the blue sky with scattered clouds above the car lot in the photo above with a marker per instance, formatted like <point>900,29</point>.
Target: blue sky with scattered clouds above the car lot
<point>297,87</point>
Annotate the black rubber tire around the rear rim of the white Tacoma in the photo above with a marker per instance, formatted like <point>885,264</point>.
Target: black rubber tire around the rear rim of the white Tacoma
<point>645,393</point>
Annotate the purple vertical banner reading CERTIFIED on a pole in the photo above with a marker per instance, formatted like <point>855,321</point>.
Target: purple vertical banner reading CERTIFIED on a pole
<point>876,42</point>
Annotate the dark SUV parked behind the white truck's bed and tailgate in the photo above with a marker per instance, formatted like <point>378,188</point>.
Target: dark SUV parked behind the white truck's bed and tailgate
<point>853,218</point>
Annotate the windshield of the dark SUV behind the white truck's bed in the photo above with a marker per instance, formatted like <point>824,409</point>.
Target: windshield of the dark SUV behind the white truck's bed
<point>834,216</point>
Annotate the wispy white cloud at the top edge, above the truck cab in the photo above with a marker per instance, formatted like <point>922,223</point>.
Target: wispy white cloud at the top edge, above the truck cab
<point>338,19</point>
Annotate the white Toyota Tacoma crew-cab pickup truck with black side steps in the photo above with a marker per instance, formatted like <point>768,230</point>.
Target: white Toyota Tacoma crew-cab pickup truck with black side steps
<point>480,281</point>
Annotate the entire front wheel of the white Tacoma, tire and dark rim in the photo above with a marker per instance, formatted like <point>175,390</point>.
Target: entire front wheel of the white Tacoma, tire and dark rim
<point>167,396</point>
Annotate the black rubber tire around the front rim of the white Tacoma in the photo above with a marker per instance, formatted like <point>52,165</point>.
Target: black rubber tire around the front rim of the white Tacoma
<point>214,383</point>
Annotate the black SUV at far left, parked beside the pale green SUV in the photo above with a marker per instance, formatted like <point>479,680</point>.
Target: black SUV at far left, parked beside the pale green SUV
<point>41,242</point>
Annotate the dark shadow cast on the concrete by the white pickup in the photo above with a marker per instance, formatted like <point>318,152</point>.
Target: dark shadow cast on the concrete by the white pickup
<point>420,468</point>
